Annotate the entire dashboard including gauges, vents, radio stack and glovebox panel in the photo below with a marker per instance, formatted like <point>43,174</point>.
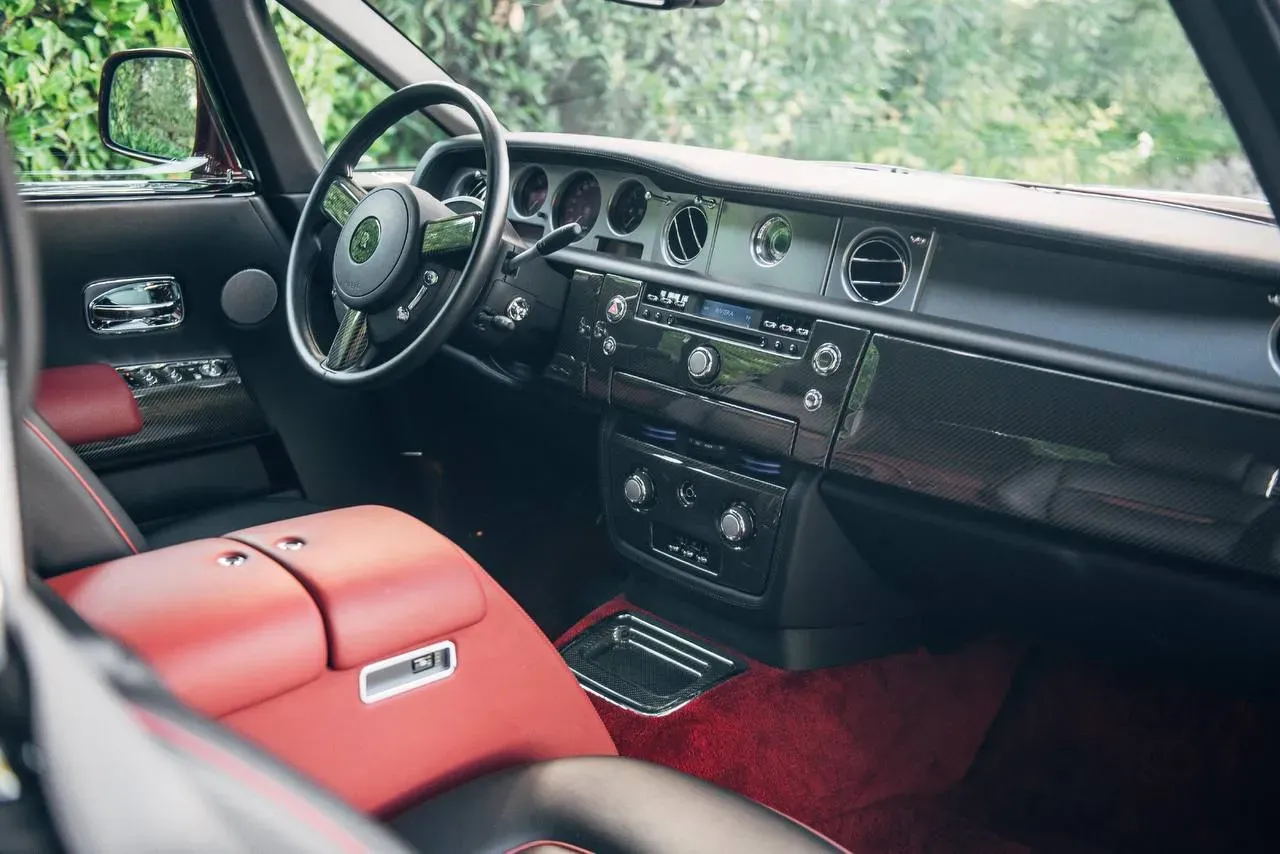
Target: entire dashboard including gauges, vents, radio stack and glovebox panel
<point>1098,375</point>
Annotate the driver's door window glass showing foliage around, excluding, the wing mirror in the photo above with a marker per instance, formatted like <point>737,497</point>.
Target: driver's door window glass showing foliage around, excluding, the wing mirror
<point>53,54</point>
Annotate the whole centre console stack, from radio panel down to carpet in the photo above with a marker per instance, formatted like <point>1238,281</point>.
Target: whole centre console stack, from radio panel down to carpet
<point>720,417</point>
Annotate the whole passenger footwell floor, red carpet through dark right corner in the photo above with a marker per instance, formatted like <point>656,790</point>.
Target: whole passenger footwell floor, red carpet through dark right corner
<point>984,750</point>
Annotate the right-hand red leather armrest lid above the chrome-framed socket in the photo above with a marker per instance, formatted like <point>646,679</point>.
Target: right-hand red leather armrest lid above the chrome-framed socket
<point>385,582</point>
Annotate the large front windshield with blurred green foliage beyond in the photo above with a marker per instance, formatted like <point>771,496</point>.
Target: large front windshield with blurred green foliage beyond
<point>1048,92</point>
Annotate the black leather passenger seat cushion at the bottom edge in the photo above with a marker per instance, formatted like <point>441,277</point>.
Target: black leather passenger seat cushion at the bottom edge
<point>605,806</point>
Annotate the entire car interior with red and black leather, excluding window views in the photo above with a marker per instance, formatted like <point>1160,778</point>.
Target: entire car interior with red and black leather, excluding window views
<point>578,494</point>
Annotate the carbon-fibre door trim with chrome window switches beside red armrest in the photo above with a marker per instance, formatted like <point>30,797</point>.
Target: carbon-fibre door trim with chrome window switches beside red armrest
<point>193,413</point>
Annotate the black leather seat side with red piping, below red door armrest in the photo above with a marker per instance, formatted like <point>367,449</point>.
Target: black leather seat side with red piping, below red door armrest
<point>70,518</point>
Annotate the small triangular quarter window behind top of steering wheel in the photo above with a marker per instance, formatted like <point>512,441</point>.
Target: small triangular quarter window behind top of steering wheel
<point>339,92</point>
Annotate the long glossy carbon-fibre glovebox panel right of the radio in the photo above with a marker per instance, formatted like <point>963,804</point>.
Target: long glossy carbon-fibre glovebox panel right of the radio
<point>1142,468</point>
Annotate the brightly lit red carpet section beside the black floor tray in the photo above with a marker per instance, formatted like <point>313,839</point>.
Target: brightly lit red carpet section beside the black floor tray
<point>822,746</point>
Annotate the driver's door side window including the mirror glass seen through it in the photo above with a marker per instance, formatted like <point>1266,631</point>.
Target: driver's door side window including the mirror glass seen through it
<point>56,53</point>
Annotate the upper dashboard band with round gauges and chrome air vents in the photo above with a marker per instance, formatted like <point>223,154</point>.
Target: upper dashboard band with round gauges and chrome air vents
<point>1139,303</point>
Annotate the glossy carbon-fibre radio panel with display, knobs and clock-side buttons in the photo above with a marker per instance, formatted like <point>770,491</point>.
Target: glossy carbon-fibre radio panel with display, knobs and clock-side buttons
<point>752,376</point>
